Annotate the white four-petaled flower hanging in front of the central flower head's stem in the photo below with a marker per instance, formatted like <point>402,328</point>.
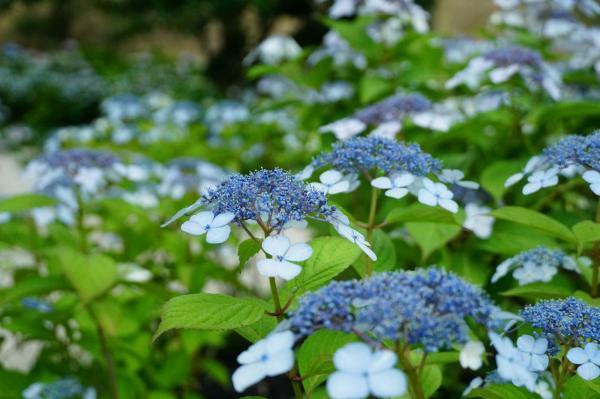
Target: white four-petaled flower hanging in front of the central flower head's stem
<point>283,253</point>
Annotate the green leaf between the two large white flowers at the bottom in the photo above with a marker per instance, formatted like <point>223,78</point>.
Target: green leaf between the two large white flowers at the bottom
<point>316,354</point>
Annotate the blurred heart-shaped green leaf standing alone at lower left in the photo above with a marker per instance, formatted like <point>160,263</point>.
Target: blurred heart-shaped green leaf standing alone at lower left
<point>90,275</point>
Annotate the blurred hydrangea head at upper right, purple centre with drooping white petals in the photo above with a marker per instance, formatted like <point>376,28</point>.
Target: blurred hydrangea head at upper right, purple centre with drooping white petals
<point>500,65</point>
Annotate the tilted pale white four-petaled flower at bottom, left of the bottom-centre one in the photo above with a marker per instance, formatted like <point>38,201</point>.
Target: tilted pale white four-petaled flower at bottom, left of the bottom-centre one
<point>266,358</point>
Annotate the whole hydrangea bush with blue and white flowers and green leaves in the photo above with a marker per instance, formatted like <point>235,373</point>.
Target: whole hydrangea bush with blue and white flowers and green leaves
<point>393,213</point>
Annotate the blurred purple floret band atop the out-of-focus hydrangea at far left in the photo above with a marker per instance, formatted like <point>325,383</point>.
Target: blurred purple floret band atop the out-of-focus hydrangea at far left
<point>73,160</point>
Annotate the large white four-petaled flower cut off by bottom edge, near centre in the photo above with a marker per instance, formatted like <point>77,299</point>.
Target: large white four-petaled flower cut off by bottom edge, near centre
<point>362,372</point>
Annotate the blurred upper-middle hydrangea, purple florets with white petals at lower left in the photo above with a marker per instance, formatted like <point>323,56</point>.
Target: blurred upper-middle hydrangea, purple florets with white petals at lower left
<point>386,115</point>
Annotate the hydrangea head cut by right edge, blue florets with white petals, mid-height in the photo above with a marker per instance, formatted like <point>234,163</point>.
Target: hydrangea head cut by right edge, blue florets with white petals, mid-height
<point>573,155</point>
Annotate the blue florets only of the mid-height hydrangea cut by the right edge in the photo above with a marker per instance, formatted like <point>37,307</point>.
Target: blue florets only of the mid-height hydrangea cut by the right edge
<point>577,150</point>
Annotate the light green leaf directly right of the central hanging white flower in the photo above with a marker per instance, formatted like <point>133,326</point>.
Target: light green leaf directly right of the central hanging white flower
<point>331,256</point>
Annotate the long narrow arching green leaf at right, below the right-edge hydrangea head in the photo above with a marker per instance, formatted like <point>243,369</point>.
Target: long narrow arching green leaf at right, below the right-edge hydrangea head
<point>536,220</point>
